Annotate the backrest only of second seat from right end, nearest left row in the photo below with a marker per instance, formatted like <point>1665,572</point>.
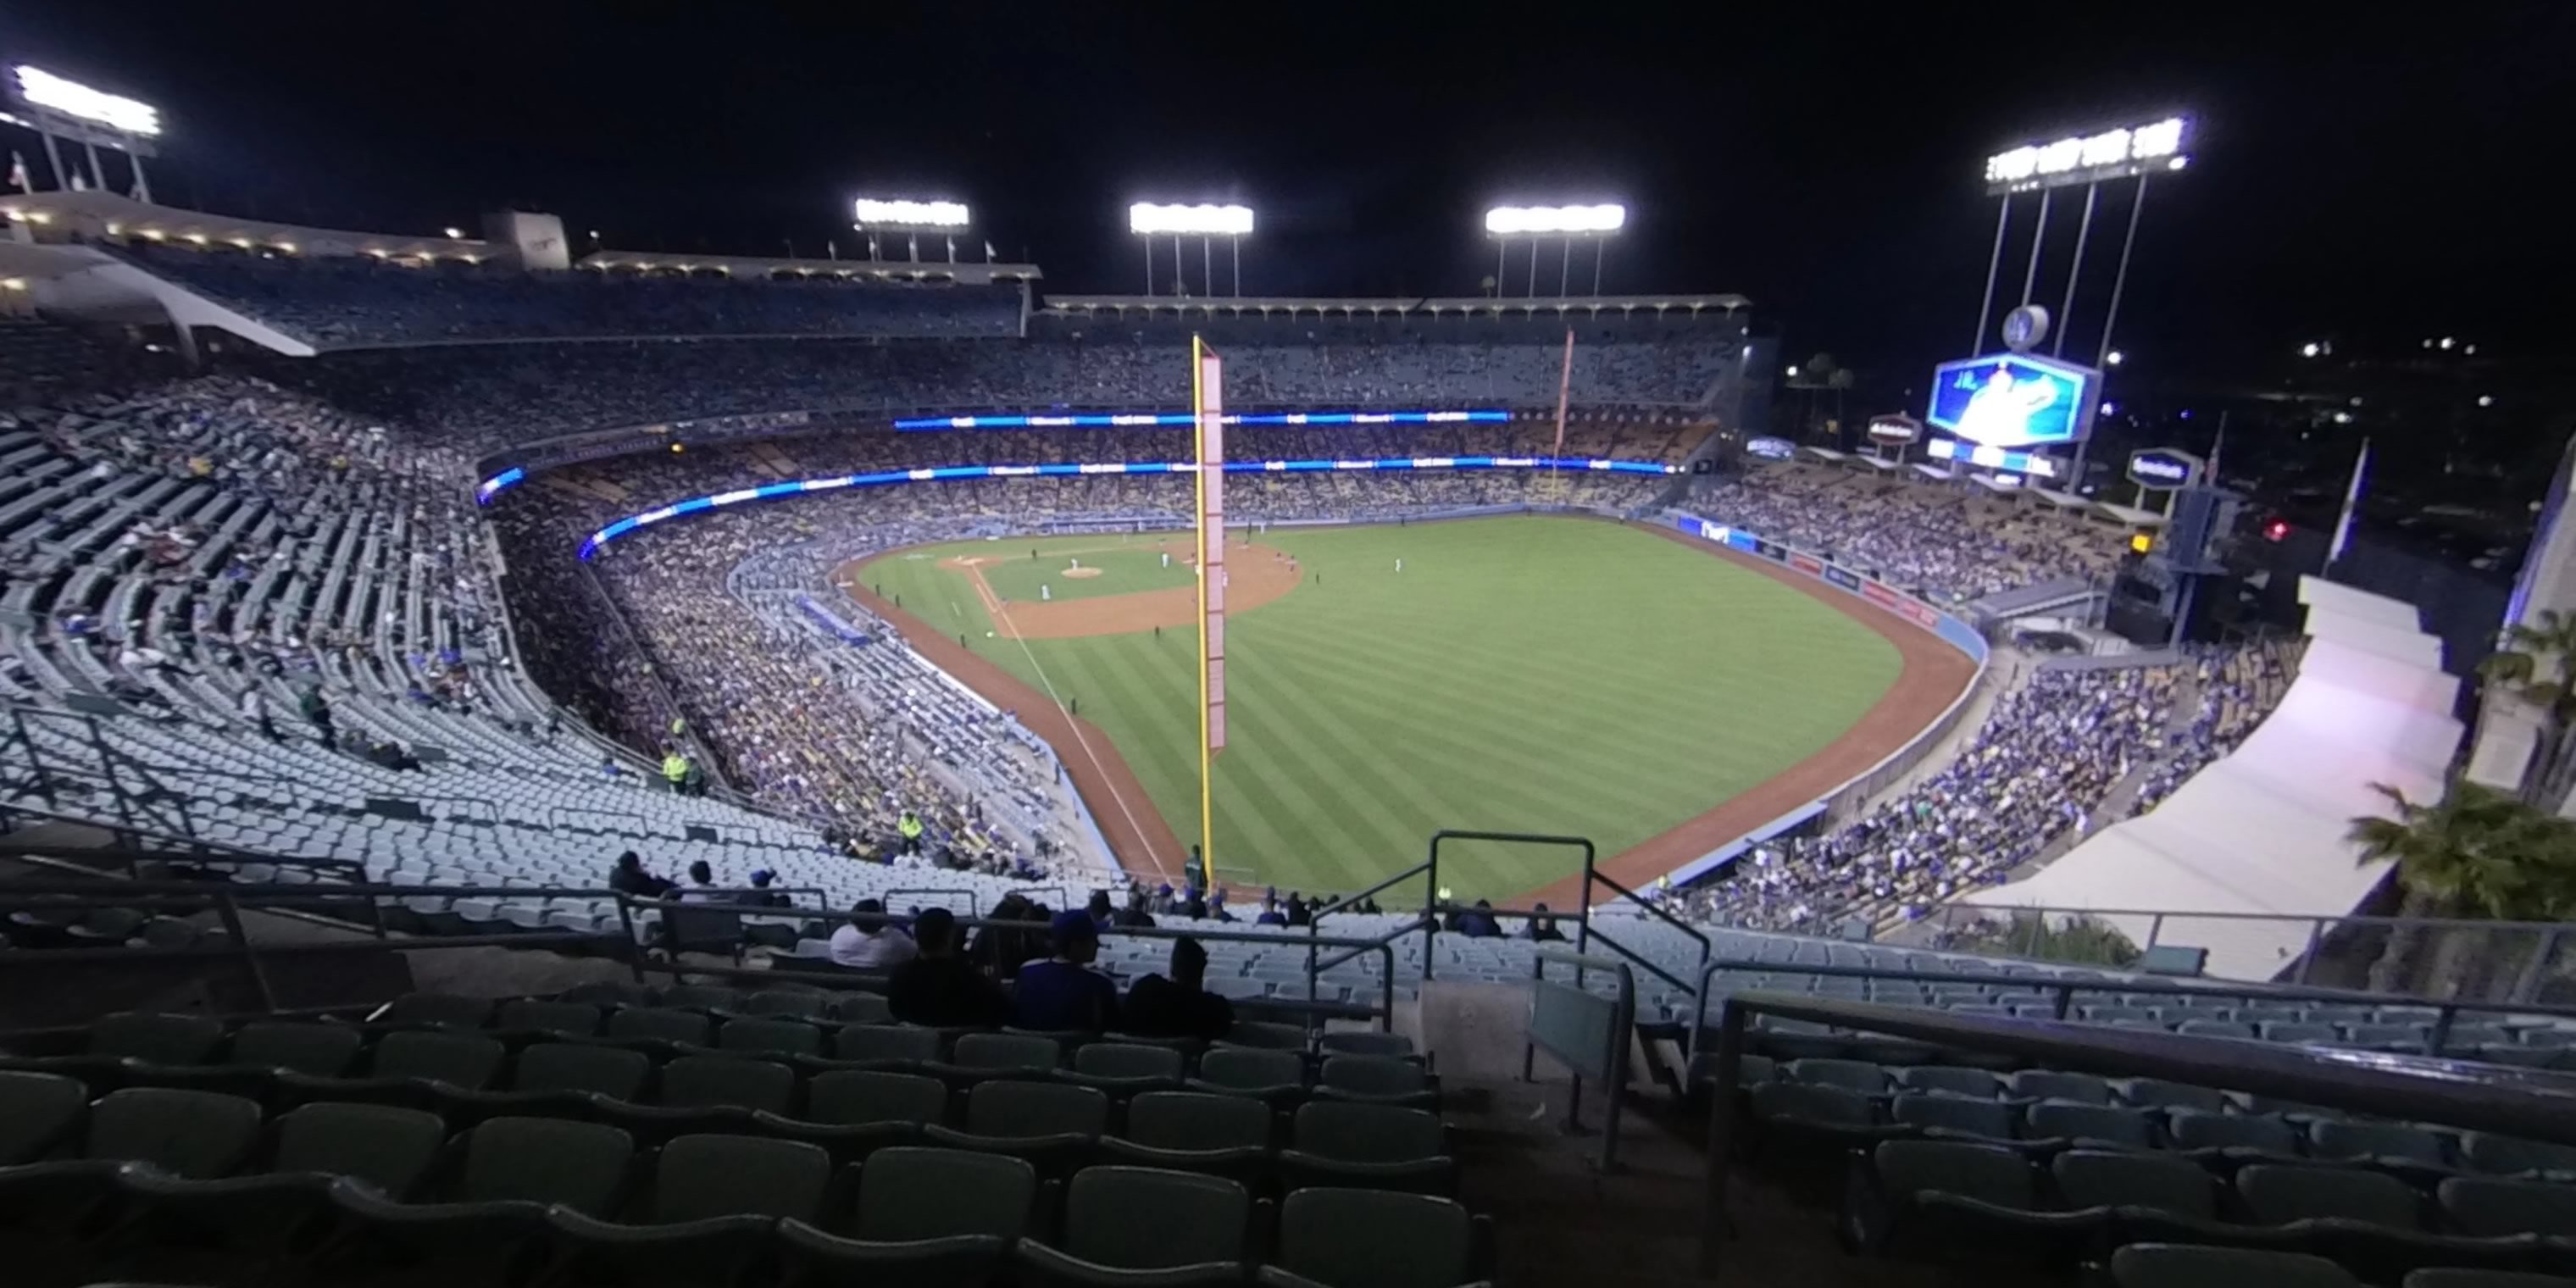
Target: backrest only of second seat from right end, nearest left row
<point>1155,1220</point>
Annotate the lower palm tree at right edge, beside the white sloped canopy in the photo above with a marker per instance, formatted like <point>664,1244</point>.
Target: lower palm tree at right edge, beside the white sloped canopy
<point>2472,854</point>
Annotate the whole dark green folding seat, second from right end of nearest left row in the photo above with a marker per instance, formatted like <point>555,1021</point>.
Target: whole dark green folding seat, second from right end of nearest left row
<point>1145,1227</point>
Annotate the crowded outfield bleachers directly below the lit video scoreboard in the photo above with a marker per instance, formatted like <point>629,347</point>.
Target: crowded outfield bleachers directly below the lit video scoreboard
<point>1946,542</point>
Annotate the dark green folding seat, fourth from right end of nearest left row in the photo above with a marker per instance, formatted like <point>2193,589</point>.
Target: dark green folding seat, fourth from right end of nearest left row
<point>712,1209</point>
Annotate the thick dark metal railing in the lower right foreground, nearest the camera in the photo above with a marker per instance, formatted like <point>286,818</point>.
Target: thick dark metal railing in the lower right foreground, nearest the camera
<point>2418,1091</point>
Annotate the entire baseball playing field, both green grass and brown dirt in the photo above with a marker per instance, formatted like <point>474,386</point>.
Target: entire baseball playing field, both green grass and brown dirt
<point>1078,663</point>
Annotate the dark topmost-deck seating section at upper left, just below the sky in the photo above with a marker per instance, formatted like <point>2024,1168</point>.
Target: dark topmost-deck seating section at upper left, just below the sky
<point>354,300</point>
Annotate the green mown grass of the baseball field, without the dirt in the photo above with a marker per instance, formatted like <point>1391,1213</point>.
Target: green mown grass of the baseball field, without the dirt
<point>1519,676</point>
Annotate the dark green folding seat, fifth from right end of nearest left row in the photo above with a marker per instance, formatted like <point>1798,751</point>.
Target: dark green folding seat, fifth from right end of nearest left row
<point>491,1209</point>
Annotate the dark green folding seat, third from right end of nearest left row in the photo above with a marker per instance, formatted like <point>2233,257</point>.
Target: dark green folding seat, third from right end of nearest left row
<point>923,1217</point>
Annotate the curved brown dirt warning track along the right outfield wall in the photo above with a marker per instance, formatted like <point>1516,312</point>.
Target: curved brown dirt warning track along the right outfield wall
<point>1931,681</point>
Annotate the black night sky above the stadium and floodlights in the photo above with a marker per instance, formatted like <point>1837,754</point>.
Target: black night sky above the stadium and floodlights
<point>2363,174</point>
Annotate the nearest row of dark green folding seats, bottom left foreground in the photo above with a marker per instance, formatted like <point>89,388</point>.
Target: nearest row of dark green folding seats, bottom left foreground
<point>339,1186</point>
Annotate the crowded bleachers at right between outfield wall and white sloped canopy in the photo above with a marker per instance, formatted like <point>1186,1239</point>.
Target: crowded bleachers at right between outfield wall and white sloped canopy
<point>2047,756</point>
